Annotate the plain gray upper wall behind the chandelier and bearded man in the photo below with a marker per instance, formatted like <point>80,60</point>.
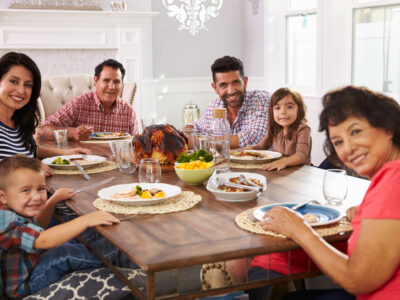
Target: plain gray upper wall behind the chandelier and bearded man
<point>236,31</point>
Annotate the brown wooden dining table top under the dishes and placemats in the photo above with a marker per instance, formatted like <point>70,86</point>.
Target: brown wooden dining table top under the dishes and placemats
<point>207,232</point>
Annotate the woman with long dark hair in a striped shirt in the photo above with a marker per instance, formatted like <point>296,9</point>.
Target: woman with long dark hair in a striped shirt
<point>20,83</point>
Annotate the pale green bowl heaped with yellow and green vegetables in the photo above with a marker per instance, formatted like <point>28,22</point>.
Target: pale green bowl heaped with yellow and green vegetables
<point>194,169</point>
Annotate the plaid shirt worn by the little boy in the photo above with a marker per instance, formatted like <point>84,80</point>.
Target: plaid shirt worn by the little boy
<point>18,258</point>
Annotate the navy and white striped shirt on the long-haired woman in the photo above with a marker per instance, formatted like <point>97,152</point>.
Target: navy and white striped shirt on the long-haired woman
<point>11,142</point>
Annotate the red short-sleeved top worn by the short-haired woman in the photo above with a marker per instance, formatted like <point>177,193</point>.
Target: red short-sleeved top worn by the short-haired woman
<point>382,201</point>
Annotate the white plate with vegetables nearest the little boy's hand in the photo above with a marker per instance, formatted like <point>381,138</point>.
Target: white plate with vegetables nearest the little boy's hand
<point>108,192</point>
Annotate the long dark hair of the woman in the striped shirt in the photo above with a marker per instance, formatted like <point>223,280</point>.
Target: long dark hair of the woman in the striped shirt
<point>25,118</point>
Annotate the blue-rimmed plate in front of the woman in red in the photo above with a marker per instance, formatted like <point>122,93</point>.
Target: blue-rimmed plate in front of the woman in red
<point>326,215</point>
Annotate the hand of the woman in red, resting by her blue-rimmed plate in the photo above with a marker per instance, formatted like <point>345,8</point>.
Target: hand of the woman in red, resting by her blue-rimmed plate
<point>284,221</point>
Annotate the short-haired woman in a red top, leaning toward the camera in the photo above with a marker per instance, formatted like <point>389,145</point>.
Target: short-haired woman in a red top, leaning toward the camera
<point>363,131</point>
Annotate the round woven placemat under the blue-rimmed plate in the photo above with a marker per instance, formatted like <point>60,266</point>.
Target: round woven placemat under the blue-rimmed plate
<point>243,221</point>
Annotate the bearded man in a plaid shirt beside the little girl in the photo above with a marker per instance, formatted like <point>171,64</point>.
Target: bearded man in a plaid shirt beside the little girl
<point>247,110</point>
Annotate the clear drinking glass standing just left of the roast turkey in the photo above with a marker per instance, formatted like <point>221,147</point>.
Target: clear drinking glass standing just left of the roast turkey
<point>124,155</point>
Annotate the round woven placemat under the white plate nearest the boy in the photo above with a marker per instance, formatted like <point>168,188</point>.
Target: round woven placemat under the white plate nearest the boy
<point>184,201</point>
